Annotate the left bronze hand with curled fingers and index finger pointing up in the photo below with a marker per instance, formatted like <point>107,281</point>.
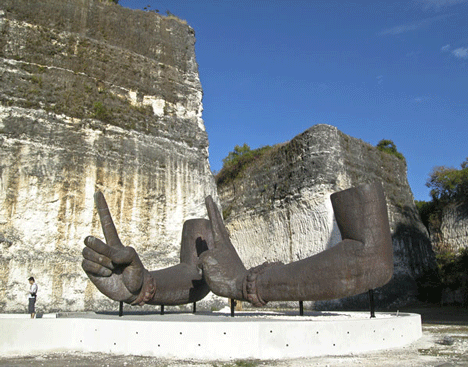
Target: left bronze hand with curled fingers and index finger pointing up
<point>116,270</point>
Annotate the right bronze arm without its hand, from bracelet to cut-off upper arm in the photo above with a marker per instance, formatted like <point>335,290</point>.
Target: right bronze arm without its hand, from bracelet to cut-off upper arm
<point>363,260</point>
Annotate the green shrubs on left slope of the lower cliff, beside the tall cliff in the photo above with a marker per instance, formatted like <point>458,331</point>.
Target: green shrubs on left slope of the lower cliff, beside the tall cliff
<point>237,161</point>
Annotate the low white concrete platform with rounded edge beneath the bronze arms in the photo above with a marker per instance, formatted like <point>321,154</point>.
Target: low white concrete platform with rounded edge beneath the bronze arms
<point>210,336</point>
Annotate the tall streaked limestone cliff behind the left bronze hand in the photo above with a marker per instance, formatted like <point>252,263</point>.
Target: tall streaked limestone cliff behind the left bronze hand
<point>94,96</point>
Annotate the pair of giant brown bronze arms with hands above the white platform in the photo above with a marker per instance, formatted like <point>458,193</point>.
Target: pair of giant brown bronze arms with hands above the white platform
<point>362,261</point>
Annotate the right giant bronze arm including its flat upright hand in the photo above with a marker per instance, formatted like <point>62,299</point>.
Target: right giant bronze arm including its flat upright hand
<point>362,261</point>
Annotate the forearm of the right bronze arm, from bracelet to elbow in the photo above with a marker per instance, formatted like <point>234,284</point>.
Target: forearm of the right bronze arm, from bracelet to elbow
<point>339,272</point>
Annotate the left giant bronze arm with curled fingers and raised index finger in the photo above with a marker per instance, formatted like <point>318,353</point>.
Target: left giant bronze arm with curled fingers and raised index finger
<point>117,271</point>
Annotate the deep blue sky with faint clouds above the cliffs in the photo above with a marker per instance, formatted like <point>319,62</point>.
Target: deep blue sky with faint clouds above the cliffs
<point>376,70</point>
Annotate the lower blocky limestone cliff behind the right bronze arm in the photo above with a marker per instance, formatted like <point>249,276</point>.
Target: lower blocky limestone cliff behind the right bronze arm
<point>280,209</point>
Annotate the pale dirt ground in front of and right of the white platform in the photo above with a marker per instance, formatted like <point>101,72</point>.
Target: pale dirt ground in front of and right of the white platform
<point>444,343</point>
